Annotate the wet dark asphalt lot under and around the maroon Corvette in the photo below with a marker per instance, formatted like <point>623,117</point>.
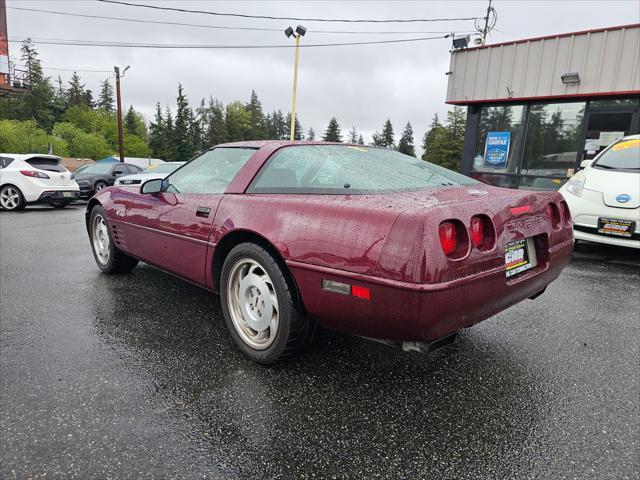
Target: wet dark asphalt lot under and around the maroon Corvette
<point>135,376</point>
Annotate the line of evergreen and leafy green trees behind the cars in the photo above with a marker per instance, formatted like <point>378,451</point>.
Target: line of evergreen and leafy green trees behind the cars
<point>70,120</point>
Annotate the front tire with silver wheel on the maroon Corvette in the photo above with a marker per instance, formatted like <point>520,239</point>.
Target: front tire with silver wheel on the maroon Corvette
<point>108,257</point>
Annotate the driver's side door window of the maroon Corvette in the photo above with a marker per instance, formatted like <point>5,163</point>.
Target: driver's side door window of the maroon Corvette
<point>211,172</point>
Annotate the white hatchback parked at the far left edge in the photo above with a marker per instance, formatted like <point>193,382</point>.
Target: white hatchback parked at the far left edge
<point>35,178</point>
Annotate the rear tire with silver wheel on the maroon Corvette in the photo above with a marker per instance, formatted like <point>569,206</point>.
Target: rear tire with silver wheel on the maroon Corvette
<point>260,306</point>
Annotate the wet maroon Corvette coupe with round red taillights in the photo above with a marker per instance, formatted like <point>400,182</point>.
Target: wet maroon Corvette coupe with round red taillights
<point>358,239</point>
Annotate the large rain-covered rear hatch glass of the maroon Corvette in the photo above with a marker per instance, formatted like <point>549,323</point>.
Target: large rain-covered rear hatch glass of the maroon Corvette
<point>345,169</point>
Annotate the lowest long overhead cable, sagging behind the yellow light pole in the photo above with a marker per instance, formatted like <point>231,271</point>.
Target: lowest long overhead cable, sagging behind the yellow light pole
<point>89,43</point>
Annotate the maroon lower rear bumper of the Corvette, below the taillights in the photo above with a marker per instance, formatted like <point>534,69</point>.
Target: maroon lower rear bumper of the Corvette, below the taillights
<point>420,312</point>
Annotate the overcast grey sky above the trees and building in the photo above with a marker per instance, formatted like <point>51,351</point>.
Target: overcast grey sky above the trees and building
<point>360,85</point>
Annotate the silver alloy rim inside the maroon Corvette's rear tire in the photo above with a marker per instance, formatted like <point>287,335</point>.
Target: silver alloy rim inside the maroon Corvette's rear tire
<point>253,304</point>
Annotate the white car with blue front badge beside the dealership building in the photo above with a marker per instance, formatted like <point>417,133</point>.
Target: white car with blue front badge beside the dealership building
<point>604,197</point>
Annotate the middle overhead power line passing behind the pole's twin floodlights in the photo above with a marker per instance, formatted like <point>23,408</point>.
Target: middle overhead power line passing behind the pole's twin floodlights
<point>219,27</point>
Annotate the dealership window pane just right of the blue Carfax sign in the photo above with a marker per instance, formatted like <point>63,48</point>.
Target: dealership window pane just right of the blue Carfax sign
<point>554,136</point>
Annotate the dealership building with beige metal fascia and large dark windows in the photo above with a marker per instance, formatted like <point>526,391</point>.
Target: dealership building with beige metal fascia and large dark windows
<point>538,107</point>
